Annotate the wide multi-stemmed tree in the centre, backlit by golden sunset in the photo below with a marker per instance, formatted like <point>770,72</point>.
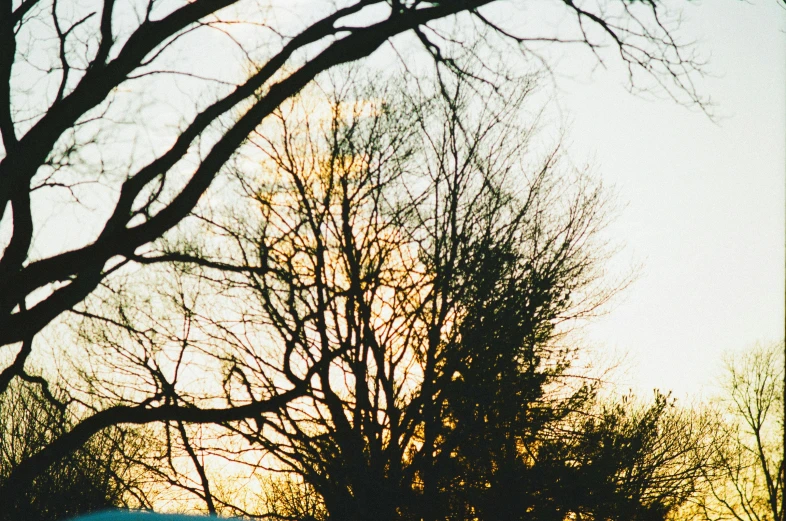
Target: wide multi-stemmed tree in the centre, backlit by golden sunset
<point>407,243</point>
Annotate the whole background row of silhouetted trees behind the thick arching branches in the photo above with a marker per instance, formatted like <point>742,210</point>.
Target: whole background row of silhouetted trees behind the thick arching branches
<point>379,300</point>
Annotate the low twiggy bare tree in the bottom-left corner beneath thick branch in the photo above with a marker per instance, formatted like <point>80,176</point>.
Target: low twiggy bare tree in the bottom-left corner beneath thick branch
<point>96,477</point>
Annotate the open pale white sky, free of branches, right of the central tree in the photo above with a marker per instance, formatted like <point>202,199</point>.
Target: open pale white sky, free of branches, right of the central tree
<point>705,200</point>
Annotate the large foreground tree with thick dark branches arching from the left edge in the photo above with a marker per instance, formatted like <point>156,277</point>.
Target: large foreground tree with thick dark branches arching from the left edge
<point>82,132</point>
